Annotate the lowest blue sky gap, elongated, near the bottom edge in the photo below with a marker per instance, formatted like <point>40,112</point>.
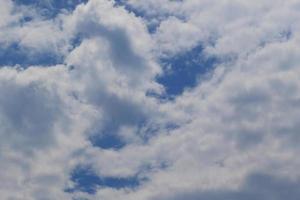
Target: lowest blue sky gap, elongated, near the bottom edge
<point>85,180</point>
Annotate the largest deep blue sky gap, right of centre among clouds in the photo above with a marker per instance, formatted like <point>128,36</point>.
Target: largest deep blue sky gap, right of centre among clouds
<point>182,71</point>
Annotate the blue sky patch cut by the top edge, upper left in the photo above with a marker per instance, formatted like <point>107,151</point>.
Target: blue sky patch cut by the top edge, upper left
<point>50,8</point>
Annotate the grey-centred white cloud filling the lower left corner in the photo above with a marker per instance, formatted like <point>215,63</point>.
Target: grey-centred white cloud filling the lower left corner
<point>38,118</point>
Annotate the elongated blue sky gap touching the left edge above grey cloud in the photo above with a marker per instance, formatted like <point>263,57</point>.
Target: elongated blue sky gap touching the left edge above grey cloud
<point>14,54</point>
